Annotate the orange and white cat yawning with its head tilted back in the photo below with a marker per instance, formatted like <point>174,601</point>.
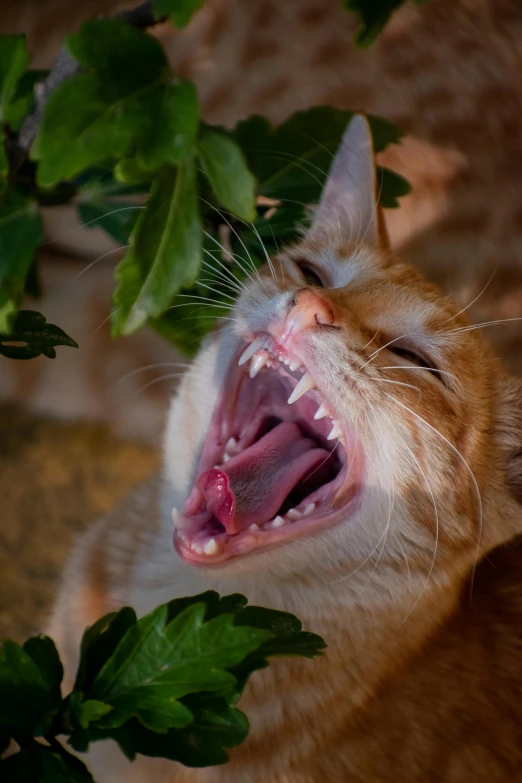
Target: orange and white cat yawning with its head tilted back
<point>346,448</point>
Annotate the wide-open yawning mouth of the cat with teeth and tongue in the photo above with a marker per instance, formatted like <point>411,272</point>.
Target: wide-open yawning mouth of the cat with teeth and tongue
<point>275,464</point>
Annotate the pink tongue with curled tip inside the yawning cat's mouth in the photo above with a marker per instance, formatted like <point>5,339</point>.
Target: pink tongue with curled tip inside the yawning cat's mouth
<point>253,485</point>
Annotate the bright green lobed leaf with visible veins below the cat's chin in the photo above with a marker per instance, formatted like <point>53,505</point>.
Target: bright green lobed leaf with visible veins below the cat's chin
<point>157,662</point>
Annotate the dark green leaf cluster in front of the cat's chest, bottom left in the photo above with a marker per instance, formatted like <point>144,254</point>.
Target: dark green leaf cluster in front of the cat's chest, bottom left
<point>165,685</point>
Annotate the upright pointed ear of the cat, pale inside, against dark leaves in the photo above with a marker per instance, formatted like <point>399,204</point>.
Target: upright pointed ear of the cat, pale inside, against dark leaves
<point>348,206</point>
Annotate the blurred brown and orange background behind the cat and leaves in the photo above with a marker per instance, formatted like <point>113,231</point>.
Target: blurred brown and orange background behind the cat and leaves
<point>77,432</point>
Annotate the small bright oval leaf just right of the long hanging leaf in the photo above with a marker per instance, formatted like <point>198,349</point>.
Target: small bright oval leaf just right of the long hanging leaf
<point>224,164</point>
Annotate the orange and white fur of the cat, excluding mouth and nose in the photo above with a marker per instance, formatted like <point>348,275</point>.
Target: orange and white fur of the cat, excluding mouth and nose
<point>422,677</point>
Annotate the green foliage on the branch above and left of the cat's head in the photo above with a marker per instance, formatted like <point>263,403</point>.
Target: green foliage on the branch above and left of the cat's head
<point>198,207</point>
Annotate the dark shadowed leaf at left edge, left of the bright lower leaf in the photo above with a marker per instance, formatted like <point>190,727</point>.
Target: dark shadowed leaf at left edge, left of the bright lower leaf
<point>29,697</point>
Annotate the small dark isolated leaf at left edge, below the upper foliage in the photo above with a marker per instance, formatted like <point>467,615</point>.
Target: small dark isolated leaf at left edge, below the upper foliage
<point>38,337</point>
